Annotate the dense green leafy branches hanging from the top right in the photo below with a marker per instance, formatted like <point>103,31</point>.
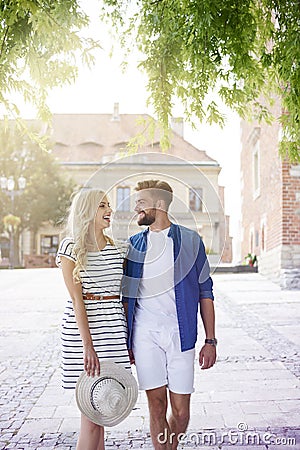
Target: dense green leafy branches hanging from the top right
<point>246,51</point>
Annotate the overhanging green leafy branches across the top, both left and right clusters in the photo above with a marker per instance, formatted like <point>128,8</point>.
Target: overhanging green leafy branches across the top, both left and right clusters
<point>246,51</point>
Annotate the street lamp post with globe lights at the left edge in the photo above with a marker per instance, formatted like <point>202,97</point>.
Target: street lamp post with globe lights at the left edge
<point>8,187</point>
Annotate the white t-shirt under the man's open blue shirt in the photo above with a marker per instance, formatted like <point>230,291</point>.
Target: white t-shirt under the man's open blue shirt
<point>156,304</point>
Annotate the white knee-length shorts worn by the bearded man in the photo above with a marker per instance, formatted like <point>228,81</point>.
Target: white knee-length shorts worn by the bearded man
<point>159,360</point>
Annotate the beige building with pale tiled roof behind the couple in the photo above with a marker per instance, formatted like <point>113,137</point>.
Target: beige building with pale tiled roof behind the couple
<point>93,150</point>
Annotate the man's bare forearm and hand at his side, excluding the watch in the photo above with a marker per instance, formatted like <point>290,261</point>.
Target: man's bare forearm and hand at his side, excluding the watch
<point>207,355</point>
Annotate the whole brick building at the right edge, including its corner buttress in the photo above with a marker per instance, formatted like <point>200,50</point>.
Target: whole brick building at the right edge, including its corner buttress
<point>270,204</point>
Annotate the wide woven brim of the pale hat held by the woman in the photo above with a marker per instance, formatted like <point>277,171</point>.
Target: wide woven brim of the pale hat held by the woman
<point>86,383</point>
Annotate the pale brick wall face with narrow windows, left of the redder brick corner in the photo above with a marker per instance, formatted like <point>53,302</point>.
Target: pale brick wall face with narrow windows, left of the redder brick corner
<point>261,208</point>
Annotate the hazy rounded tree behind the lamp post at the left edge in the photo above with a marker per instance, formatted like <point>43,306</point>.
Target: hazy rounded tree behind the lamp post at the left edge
<point>47,193</point>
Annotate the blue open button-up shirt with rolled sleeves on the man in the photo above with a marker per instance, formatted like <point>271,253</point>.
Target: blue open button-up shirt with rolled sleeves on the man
<point>192,280</point>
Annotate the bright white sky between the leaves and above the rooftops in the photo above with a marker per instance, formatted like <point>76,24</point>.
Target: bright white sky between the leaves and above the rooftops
<point>97,89</point>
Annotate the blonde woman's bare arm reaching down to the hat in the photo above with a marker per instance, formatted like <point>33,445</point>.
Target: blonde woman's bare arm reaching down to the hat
<point>91,361</point>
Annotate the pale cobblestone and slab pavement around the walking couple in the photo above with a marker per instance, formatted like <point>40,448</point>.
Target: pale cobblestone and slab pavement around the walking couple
<point>250,399</point>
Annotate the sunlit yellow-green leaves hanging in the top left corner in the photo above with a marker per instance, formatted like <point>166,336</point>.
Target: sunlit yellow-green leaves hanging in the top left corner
<point>39,49</point>
